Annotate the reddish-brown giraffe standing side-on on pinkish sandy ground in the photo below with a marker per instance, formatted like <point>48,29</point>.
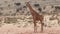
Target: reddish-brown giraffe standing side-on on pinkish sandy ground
<point>36,17</point>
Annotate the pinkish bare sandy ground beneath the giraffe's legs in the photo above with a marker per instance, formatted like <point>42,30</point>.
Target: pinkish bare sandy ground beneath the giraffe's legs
<point>11,29</point>
